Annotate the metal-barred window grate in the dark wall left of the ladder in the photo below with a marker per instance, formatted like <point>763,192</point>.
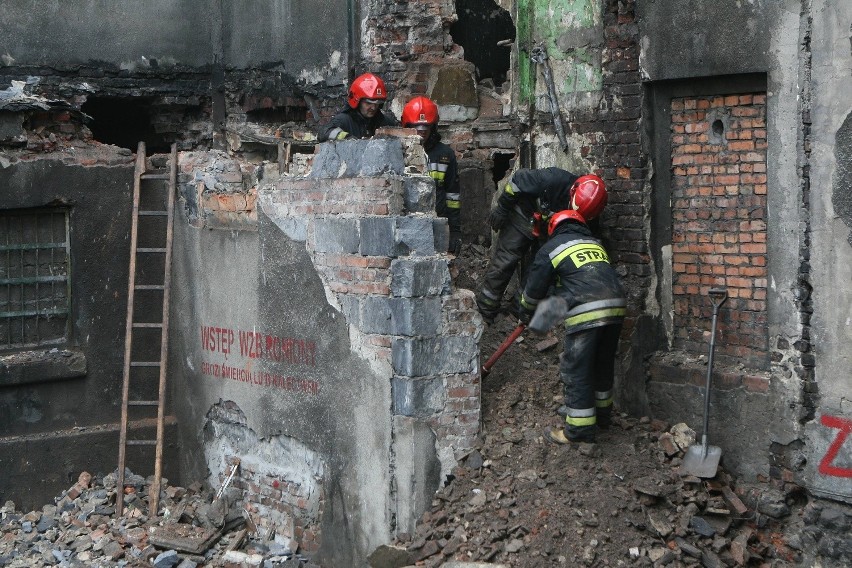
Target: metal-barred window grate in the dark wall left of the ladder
<point>35,263</point>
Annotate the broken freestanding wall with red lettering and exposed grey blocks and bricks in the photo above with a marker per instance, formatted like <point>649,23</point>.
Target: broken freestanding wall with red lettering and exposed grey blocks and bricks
<point>318,340</point>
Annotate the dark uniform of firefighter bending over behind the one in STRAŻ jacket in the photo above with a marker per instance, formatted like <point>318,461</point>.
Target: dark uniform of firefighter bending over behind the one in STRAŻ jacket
<point>519,218</point>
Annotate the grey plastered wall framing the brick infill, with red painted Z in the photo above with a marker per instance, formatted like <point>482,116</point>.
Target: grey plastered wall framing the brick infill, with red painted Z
<point>724,47</point>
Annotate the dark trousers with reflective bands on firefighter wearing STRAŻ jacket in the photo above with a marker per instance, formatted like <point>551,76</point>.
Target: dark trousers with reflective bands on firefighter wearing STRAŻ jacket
<point>587,373</point>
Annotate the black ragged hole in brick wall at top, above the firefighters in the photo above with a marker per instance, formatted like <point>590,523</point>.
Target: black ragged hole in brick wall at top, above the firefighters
<point>480,25</point>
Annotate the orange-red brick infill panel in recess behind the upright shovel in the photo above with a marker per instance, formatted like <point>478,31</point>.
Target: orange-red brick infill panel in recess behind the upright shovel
<point>719,223</point>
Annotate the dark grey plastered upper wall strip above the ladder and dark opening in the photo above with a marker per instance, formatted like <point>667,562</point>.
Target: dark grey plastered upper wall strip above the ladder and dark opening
<point>185,33</point>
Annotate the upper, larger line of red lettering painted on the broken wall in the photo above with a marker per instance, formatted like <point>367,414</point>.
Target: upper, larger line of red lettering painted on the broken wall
<point>256,345</point>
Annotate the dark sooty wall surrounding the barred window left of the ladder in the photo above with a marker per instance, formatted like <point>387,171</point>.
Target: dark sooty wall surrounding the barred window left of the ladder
<point>57,400</point>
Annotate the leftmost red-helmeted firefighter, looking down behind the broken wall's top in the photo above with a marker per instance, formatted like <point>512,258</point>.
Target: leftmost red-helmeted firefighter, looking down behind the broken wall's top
<point>363,115</point>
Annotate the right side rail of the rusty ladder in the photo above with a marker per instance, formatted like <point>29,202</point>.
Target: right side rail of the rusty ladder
<point>154,493</point>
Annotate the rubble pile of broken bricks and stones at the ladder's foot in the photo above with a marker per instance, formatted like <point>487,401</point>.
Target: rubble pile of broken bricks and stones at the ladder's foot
<point>195,528</point>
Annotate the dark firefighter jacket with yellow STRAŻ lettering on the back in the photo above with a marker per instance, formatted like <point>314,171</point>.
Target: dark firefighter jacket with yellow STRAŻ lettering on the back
<point>578,267</point>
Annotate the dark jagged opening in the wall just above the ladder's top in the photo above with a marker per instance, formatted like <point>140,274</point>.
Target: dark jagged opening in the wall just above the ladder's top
<point>124,122</point>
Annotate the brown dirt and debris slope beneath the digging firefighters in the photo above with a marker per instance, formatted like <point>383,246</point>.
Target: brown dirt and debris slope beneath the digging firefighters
<point>523,501</point>
